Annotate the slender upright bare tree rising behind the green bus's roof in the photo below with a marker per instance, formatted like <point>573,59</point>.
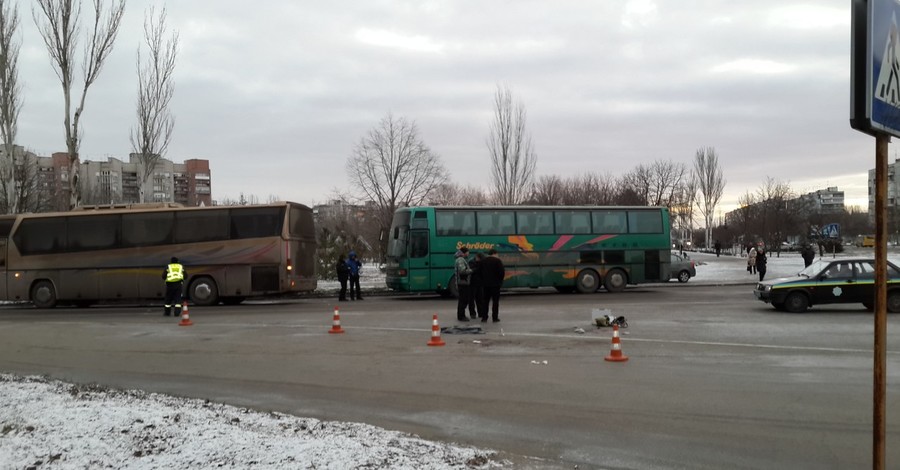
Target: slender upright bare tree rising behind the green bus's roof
<point>512,155</point>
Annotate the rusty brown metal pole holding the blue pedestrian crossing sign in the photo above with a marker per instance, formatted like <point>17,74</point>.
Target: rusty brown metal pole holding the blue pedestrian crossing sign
<point>880,349</point>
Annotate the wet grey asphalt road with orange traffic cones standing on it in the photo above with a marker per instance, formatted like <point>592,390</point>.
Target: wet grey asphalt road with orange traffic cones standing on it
<point>716,379</point>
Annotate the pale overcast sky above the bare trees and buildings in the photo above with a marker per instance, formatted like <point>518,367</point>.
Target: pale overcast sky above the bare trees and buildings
<point>276,94</point>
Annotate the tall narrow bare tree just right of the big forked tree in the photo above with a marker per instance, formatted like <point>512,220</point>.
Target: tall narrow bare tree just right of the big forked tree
<point>151,136</point>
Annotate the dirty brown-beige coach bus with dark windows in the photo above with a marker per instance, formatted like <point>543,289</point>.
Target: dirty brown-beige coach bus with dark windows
<point>110,253</point>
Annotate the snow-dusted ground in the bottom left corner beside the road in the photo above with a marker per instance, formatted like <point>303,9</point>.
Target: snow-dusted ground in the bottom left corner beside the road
<point>51,424</point>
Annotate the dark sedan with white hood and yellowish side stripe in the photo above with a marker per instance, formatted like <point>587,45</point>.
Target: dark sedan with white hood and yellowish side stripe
<point>835,281</point>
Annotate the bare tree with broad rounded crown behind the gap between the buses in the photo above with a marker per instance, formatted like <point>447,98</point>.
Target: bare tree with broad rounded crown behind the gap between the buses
<point>393,167</point>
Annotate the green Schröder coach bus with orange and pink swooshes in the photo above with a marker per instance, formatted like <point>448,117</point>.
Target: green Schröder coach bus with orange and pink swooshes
<point>575,248</point>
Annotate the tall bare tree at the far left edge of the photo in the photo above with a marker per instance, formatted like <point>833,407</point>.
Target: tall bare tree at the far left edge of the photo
<point>10,101</point>
